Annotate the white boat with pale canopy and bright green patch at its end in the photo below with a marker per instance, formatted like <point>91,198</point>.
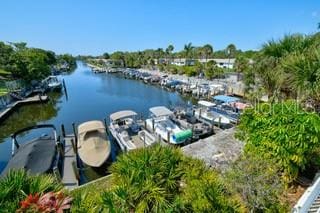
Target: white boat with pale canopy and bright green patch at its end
<point>161,124</point>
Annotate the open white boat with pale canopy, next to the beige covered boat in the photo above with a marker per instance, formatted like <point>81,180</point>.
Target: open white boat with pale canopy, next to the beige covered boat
<point>127,132</point>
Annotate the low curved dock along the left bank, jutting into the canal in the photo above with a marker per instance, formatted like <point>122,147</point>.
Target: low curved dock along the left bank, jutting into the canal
<point>33,99</point>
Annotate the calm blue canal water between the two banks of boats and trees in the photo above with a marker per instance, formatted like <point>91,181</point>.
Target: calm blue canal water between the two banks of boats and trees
<point>90,96</point>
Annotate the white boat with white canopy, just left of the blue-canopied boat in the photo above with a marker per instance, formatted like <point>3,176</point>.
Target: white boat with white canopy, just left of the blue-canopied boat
<point>204,112</point>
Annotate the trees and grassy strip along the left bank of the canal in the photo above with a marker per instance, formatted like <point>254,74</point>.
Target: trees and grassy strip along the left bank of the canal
<point>29,65</point>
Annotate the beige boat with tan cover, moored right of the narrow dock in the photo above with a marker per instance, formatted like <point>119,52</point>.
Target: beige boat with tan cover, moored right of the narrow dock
<point>93,146</point>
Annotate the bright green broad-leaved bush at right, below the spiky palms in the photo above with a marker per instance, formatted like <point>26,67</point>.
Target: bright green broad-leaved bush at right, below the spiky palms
<point>283,132</point>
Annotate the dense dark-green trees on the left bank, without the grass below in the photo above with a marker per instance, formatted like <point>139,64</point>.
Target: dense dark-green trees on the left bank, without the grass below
<point>30,63</point>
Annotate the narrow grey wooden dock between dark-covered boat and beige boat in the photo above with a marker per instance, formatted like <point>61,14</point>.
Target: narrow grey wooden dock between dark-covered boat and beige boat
<point>70,177</point>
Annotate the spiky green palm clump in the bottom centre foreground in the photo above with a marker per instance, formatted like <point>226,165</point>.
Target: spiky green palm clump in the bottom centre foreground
<point>161,179</point>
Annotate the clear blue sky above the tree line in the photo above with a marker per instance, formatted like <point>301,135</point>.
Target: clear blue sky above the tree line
<point>97,26</point>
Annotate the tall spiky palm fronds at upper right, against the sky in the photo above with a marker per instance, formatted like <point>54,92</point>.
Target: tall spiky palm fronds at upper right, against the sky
<point>289,68</point>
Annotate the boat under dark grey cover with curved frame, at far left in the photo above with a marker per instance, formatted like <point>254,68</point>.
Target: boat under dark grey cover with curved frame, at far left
<point>37,156</point>
